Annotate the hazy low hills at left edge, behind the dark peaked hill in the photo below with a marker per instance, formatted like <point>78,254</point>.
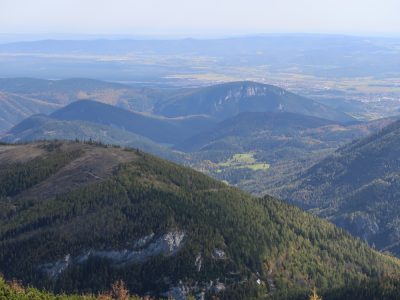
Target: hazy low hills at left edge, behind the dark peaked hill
<point>23,97</point>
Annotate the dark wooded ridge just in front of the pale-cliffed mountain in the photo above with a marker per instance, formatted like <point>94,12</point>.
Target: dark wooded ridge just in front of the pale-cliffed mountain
<point>276,130</point>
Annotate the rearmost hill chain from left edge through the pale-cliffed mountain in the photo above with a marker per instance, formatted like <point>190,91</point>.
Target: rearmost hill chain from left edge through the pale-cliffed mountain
<point>23,97</point>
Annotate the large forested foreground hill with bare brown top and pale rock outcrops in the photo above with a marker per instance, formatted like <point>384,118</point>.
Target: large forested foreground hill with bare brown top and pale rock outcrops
<point>76,217</point>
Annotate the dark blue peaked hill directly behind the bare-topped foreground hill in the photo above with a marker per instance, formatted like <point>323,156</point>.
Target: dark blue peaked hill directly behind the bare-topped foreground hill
<point>92,120</point>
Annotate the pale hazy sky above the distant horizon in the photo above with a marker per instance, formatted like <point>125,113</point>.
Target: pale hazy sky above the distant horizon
<point>194,17</point>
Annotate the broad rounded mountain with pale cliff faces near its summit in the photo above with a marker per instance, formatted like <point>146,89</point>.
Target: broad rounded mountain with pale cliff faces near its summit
<point>229,99</point>
